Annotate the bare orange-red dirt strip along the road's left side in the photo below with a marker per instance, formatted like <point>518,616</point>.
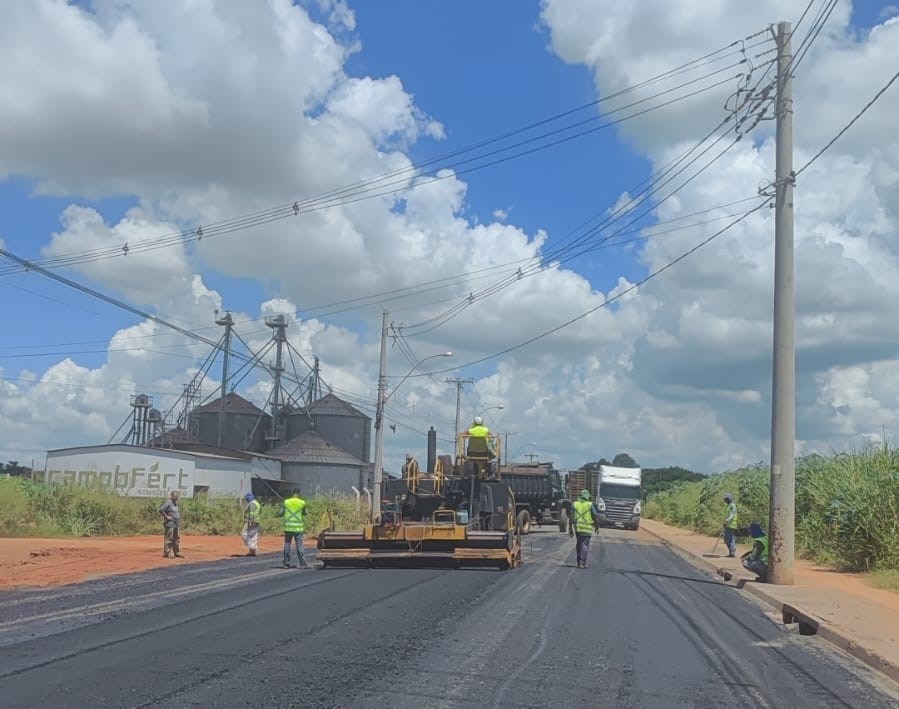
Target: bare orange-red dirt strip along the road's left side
<point>53,562</point>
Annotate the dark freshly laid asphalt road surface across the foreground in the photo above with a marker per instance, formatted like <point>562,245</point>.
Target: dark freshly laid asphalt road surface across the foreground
<point>640,628</point>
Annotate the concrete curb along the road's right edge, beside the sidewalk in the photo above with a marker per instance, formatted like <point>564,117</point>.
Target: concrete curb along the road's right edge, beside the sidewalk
<point>808,623</point>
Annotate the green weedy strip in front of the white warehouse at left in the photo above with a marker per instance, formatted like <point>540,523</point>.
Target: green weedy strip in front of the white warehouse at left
<point>33,509</point>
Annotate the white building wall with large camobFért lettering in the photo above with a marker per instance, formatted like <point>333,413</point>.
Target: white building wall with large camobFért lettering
<point>127,473</point>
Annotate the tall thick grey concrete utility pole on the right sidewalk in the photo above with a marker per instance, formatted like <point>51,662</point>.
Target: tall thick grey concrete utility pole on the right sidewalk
<point>783,395</point>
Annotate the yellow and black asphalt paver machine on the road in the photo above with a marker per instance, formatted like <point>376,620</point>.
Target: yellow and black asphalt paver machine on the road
<point>458,513</point>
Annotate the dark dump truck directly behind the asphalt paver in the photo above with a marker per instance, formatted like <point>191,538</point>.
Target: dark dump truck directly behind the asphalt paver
<point>539,496</point>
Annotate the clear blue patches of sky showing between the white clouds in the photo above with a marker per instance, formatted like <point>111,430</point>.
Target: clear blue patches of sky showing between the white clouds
<point>481,69</point>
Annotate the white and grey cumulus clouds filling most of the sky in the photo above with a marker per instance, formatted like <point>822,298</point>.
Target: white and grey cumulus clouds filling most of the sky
<point>238,107</point>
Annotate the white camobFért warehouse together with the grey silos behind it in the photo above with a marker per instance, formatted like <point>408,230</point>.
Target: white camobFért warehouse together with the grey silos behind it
<point>326,448</point>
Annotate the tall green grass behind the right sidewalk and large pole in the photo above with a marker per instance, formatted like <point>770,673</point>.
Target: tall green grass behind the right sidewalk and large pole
<point>847,506</point>
